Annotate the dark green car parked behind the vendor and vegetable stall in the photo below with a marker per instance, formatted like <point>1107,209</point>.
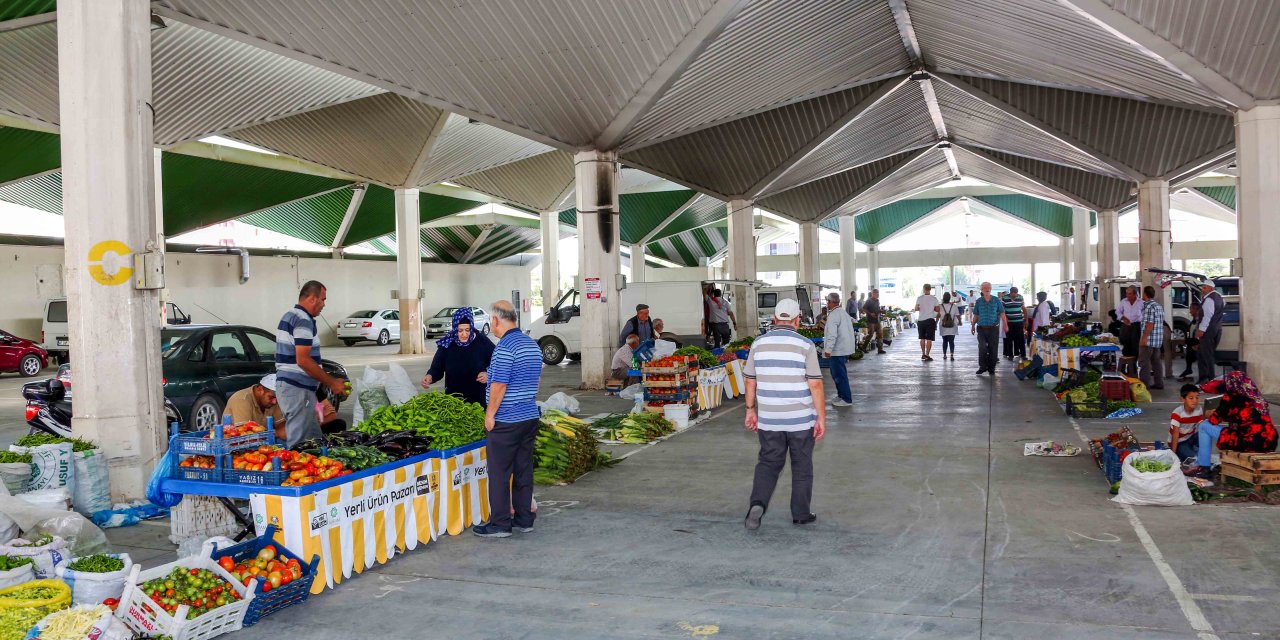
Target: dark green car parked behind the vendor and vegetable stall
<point>204,365</point>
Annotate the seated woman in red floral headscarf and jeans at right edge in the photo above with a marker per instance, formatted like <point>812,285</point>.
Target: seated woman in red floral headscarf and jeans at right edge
<point>1242,422</point>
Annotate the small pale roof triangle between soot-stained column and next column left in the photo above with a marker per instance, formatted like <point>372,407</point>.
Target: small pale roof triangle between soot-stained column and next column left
<point>468,147</point>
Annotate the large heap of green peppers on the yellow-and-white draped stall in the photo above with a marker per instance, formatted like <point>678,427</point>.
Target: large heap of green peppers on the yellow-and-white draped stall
<point>449,420</point>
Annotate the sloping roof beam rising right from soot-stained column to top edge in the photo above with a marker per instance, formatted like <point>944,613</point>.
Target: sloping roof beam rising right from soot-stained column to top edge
<point>694,43</point>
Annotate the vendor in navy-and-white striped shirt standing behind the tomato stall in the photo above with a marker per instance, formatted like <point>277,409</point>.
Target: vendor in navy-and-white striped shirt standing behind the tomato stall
<point>298,367</point>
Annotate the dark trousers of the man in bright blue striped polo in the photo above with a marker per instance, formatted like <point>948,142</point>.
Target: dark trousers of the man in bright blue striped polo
<point>511,473</point>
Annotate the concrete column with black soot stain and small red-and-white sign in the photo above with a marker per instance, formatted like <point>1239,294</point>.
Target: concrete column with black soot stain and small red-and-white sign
<point>600,262</point>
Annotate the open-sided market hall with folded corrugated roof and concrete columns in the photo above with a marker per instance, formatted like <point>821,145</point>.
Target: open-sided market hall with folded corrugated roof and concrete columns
<point>665,149</point>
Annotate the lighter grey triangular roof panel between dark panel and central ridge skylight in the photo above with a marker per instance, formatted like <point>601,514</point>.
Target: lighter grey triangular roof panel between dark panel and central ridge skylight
<point>899,124</point>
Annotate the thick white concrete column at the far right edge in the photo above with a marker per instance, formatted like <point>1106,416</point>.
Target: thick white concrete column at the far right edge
<point>1258,154</point>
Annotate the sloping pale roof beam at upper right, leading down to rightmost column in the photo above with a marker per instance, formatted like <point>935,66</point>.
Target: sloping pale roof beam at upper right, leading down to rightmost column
<point>1162,51</point>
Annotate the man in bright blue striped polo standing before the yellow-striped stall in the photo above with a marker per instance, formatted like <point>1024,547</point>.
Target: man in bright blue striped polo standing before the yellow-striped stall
<point>511,420</point>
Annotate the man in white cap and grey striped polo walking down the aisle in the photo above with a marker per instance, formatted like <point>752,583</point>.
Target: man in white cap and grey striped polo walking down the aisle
<point>785,405</point>
